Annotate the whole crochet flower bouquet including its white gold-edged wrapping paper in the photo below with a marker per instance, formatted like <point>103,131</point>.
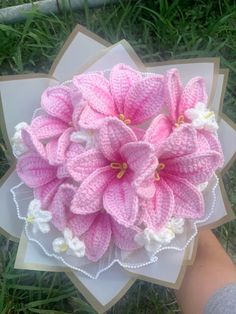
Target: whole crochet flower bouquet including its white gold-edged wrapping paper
<point>116,165</point>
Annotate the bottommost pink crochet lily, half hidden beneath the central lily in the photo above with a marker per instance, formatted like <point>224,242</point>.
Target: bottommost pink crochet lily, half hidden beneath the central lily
<point>97,230</point>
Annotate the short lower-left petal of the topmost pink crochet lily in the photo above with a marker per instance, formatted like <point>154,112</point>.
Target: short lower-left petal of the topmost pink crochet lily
<point>90,118</point>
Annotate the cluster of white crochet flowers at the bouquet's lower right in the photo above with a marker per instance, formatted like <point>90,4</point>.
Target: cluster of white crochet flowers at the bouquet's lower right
<point>153,240</point>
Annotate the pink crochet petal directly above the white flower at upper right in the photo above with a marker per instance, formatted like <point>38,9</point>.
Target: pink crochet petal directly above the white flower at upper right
<point>193,92</point>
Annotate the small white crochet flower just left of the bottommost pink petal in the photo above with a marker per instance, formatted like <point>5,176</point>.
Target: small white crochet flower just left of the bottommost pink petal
<point>69,244</point>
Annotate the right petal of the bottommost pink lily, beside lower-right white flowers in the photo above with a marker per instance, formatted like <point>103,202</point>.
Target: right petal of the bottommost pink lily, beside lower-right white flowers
<point>123,237</point>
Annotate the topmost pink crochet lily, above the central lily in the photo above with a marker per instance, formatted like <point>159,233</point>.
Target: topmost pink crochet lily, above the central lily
<point>126,95</point>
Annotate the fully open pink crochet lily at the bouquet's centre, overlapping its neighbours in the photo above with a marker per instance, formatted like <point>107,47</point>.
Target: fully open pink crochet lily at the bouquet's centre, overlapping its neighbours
<point>114,175</point>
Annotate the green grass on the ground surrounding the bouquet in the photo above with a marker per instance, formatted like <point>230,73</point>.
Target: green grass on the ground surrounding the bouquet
<point>158,30</point>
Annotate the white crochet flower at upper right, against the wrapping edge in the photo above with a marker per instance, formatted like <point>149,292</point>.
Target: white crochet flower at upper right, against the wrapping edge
<point>202,118</point>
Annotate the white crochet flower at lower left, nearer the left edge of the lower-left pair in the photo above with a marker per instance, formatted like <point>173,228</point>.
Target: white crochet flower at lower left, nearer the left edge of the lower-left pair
<point>37,217</point>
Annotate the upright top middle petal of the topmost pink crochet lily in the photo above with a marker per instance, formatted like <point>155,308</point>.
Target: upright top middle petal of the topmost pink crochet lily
<point>122,77</point>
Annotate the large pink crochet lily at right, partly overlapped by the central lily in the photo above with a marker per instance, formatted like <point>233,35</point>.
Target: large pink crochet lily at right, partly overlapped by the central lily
<point>181,168</point>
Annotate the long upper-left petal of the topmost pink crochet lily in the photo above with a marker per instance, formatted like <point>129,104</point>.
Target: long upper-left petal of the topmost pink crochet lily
<point>96,90</point>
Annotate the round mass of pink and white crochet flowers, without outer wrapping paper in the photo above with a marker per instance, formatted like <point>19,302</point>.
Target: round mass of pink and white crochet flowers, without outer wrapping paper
<point>118,162</point>
